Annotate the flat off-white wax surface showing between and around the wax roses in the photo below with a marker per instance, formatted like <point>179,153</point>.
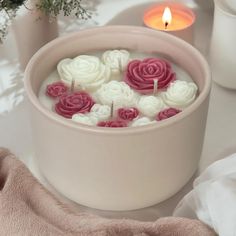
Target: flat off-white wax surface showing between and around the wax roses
<point>48,102</point>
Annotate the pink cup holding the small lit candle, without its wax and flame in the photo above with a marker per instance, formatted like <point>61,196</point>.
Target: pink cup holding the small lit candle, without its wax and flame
<point>185,33</point>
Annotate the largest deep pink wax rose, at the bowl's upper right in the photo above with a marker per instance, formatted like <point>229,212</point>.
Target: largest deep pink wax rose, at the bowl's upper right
<point>140,75</point>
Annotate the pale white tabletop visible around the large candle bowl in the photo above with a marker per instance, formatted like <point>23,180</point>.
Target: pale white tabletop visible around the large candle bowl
<point>15,131</point>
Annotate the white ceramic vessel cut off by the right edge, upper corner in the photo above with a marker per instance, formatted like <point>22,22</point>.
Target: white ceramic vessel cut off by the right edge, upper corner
<point>222,49</point>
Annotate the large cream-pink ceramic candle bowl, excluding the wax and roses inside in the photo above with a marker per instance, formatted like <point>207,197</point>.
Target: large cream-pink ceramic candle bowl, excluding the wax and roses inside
<point>122,168</point>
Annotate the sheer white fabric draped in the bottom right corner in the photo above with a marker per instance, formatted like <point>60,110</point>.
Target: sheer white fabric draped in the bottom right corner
<point>213,198</point>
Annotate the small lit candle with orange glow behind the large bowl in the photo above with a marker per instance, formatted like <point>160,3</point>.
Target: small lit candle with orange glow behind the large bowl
<point>173,18</point>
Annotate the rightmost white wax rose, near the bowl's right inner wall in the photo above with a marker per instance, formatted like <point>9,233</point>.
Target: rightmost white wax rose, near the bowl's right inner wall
<point>180,94</point>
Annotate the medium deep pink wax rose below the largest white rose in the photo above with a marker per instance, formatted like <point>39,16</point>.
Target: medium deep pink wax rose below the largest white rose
<point>70,104</point>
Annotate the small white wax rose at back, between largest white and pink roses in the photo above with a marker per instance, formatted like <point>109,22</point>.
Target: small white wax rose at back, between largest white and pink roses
<point>117,60</point>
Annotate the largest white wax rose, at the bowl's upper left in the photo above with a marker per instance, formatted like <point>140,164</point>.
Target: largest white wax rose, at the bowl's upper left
<point>87,72</point>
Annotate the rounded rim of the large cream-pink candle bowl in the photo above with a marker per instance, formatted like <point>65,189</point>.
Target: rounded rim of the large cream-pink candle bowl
<point>112,30</point>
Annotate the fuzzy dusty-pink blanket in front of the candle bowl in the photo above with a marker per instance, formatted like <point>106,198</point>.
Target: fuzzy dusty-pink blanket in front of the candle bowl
<point>28,209</point>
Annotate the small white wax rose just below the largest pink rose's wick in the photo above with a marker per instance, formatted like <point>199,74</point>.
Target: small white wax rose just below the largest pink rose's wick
<point>150,105</point>
